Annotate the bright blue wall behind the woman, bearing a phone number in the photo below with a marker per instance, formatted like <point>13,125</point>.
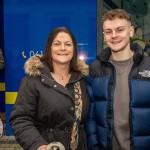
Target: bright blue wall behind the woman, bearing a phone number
<point>27,24</point>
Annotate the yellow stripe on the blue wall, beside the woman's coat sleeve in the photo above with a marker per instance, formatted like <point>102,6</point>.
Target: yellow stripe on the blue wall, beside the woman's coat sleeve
<point>10,97</point>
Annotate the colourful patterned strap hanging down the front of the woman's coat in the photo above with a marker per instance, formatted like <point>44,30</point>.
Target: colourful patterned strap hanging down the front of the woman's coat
<point>77,115</point>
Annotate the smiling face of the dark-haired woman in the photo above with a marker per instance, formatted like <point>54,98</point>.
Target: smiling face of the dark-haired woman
<point>62,49</point>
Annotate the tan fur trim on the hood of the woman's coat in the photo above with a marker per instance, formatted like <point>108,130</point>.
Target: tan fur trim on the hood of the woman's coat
<point>34,65</point>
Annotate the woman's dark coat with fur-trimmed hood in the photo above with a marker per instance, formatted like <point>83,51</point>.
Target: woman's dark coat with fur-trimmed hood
<point>44,110</point>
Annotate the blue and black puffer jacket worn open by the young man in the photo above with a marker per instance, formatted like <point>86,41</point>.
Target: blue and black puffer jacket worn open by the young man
<point>101,87</point>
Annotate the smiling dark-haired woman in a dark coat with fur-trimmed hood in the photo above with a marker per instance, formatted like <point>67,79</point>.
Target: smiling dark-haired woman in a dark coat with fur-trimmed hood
<point>47,109</point>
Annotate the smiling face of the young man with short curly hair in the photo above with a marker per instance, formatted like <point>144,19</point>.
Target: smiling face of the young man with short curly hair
<point>117,34</point>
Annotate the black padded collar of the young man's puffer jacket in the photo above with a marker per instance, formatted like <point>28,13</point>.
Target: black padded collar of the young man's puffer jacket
<point>104,55</point>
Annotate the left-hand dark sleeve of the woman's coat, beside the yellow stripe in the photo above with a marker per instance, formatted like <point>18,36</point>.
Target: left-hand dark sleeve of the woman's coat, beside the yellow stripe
<point>23,116</point>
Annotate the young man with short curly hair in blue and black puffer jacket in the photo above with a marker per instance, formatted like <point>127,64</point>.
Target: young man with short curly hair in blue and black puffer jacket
<point>119,88</point>
